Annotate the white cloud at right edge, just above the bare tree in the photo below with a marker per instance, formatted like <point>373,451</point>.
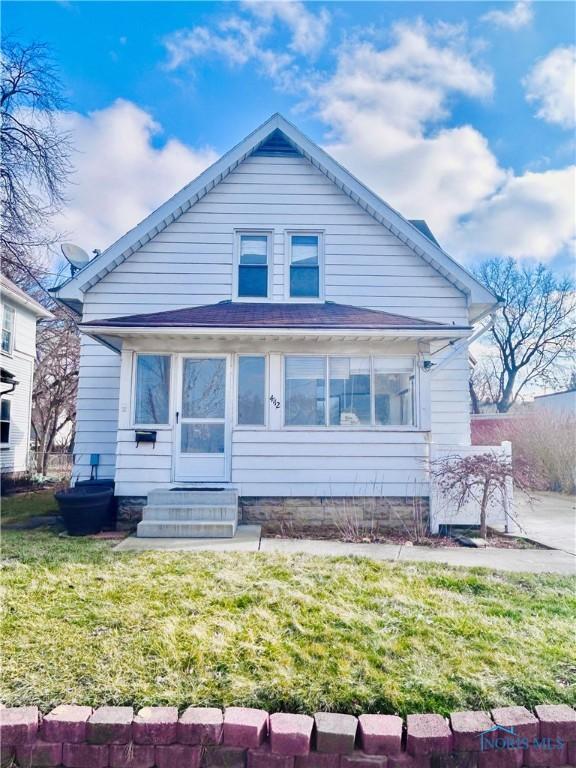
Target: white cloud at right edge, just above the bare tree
<point>530,216</point>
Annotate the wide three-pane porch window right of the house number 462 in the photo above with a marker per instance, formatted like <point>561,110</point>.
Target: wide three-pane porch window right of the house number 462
<point>360,391</point>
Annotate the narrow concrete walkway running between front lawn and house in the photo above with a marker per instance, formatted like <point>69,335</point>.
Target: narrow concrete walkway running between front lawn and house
<point>248,539</point>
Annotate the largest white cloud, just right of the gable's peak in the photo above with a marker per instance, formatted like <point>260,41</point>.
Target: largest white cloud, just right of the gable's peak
<point>380,105</point>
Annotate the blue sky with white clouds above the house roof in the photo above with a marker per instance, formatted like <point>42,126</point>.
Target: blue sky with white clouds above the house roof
<point>456,112</point>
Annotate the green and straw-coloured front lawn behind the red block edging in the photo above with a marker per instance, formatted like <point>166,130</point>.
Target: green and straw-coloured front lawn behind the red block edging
<point>83,624</point>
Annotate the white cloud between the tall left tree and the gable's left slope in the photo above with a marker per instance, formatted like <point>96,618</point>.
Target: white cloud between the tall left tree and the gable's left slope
<point>120,175</point>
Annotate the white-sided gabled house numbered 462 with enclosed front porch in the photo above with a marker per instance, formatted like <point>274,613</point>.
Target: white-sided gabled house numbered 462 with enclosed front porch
<point>276,331</point>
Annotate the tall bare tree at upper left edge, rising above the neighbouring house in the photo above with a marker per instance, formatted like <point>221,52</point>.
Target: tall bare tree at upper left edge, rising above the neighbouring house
<point>35,160</point>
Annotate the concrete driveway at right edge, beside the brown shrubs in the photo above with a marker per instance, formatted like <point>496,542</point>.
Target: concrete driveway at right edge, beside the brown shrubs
<point>550,520</point>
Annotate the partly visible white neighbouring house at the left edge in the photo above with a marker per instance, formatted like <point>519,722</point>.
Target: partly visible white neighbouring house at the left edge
<point>20,313</point>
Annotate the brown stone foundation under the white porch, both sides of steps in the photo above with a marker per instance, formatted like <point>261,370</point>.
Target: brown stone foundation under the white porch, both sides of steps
<point>311,515</point>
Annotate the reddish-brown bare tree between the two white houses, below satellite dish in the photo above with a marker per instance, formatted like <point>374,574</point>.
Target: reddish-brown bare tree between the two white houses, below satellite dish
<point>55,384</point>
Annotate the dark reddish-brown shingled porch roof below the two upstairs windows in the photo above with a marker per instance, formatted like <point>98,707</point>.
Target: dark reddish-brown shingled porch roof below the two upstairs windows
<point>228,314</point>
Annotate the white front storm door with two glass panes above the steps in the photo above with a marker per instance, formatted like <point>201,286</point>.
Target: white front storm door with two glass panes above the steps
<point>202,419</point>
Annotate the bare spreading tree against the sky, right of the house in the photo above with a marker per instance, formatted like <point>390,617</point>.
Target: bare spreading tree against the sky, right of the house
<point>534,332</point>
